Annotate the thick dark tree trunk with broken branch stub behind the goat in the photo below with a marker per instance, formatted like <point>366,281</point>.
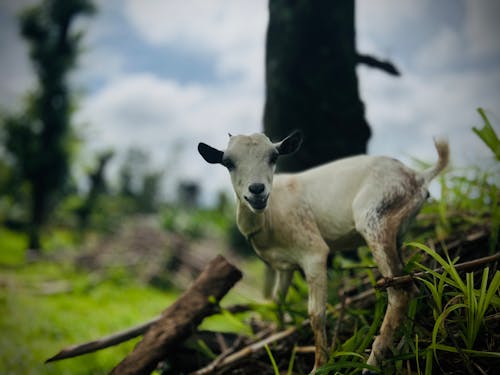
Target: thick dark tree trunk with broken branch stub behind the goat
<point>311,81</point>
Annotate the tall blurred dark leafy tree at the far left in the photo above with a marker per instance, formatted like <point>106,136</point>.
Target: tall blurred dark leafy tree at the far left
<point>37,141</point>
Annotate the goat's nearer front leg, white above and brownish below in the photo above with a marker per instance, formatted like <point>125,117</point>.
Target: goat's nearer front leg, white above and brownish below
<point>315,271</point>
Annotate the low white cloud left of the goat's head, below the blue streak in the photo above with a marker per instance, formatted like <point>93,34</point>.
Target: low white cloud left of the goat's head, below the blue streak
<point>163,117</point>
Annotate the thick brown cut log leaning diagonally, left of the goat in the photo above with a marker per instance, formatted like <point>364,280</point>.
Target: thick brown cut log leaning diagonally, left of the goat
<point>178,320</point>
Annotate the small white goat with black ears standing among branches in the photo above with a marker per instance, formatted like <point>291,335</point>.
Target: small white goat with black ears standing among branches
<point>339,205</point>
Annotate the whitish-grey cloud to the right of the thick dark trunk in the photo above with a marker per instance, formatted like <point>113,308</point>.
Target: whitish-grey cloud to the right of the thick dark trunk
<point>442,84</point>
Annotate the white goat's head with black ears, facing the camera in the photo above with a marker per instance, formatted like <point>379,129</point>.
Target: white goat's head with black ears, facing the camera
<point>251,161</point>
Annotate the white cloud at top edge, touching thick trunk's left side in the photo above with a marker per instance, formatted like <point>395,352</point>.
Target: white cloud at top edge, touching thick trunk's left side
<point>232,31</point>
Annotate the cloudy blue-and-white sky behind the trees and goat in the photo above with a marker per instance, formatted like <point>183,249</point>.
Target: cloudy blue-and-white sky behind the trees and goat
<point>164,75</point>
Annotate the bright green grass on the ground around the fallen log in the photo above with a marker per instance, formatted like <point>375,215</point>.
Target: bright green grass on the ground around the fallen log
<point>35,326</point>
